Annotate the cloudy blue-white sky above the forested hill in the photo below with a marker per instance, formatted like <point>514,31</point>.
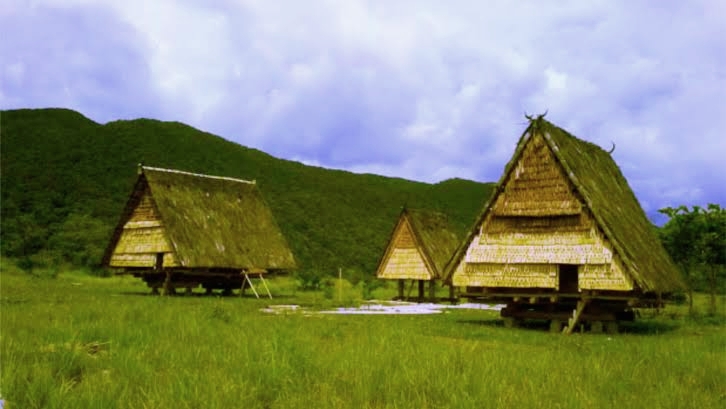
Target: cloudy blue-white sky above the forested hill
<point>420,89</point>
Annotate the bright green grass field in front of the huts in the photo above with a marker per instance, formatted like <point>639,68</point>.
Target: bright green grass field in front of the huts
<point>82,342</point>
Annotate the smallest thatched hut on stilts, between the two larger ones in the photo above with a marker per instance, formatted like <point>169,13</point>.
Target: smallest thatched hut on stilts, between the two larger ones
<point>419,248</point>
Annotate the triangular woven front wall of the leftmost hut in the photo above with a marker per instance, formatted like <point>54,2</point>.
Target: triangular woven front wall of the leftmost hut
<point>142,238</point>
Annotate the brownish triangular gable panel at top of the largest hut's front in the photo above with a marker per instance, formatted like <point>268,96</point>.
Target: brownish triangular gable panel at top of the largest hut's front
<point>536,186</point>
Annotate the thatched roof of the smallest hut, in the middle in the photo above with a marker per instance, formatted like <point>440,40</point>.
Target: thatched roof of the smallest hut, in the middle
<point>432,236</point>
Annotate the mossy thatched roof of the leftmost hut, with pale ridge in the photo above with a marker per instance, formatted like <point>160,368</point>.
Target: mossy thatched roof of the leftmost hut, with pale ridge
<point>210,221</point>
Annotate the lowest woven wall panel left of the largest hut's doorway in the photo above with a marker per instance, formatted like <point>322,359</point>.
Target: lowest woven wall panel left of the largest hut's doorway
<point>508,275</point>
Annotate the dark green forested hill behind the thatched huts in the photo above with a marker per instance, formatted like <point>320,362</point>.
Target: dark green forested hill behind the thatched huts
<point>65,179</point>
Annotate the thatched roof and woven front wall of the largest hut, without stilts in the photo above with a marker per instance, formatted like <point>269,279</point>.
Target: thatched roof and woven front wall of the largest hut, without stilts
<point>562,200</point>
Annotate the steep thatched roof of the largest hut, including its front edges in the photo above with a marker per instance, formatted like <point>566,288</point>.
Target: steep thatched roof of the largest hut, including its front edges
<point>604,190</point>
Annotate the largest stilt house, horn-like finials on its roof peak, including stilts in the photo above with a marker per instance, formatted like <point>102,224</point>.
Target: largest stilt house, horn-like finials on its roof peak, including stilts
<point>564,238</point>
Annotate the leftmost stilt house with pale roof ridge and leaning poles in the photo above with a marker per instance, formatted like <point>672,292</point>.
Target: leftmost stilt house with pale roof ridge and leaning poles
<point>181,229</point>
